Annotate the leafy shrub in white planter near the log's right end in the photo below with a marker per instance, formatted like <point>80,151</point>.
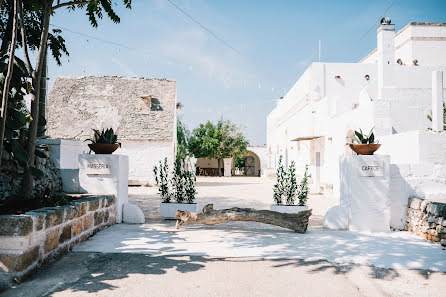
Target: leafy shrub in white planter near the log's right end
<point>287,188</point>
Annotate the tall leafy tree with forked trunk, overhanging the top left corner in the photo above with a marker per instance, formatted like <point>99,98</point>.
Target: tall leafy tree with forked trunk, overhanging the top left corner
<point>35,35</point>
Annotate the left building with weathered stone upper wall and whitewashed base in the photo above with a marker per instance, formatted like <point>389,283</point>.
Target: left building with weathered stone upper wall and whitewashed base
<point>142,112</point>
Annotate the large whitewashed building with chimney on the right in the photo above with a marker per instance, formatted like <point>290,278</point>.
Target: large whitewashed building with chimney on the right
<point>310,124</point>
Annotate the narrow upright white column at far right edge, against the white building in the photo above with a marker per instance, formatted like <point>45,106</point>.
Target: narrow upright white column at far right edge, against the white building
<point>437,101</point>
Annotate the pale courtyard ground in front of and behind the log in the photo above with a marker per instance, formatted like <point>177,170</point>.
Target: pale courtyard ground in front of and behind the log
<point>240,259</point>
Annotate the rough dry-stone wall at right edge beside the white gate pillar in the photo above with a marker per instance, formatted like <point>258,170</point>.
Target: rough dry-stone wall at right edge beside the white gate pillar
<point>427,219</point>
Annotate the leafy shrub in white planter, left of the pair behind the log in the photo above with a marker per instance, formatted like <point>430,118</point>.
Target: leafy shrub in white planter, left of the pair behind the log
<point>181,187</point>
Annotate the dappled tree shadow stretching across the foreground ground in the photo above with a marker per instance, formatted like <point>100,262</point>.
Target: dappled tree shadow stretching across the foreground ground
<point>98,272</point>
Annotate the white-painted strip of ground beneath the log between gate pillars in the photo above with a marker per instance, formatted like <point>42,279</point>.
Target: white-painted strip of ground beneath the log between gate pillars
<point>388,250</point>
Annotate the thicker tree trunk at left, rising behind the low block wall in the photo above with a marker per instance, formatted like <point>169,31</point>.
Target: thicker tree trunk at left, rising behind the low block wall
<point>27,182</point>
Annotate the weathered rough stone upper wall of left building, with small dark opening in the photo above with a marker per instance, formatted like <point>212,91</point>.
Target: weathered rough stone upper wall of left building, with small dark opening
<point>138,109</point>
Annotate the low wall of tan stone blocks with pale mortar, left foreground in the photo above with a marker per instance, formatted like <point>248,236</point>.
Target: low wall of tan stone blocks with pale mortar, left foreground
<point>37,237</point>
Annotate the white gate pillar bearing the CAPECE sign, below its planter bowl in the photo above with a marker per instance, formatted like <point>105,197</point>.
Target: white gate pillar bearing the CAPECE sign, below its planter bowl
<point>365,188</point>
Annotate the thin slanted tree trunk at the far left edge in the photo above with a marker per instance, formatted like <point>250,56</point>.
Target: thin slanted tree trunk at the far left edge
<point>5,94</point>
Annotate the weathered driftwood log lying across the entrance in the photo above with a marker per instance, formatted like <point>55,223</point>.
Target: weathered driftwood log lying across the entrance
<point>297,222</point>
